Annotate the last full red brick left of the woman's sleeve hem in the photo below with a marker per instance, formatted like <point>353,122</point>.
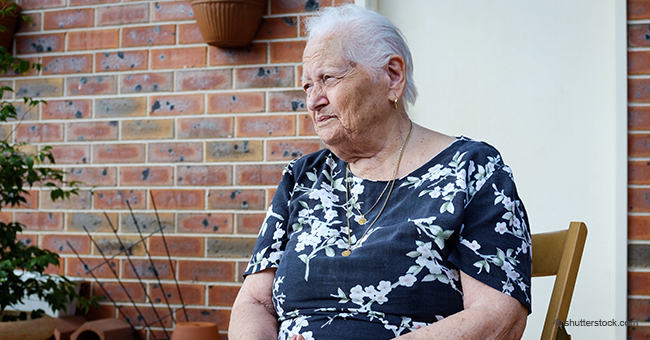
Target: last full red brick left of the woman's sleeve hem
<point>211,271</point>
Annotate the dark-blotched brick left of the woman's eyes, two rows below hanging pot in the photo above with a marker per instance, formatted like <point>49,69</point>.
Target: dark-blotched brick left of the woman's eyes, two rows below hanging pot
<point>264,77</point>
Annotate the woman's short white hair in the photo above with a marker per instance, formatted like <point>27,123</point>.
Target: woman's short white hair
<point>368,39</point>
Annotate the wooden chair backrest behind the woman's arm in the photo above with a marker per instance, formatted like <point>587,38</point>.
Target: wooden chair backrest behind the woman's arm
<point>558,253</point>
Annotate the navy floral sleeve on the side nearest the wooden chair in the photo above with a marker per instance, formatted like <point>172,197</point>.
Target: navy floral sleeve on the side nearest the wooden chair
<point>494,244</point>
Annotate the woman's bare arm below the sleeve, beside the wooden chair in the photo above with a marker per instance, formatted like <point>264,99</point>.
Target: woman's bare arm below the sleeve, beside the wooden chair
<point>488,314</point>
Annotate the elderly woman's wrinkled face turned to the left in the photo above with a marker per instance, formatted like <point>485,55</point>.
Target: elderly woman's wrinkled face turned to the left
<point>345,101</point>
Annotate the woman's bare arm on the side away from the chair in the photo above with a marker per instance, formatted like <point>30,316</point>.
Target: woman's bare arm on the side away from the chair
<point>253,315</point>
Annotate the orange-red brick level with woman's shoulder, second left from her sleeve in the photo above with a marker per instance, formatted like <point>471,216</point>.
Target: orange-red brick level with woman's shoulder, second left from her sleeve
<point>204,175</point>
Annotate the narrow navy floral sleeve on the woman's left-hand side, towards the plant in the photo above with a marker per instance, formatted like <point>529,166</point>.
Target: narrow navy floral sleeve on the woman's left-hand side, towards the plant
<point>274,234</point>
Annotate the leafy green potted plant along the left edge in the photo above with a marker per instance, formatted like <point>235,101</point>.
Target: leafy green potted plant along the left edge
<point>23,267</point>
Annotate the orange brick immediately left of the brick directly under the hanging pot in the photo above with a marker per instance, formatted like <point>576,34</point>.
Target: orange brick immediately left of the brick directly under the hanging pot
<point>178,58</point>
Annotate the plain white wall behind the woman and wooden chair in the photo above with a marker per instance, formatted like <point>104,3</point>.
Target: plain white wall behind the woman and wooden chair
<point>544,82</point>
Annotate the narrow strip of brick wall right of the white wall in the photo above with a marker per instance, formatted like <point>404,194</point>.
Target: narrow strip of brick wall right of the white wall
<point>639,167</point>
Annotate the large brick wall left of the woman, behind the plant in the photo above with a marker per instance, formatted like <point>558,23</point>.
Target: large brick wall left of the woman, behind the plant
<point>138,105</point>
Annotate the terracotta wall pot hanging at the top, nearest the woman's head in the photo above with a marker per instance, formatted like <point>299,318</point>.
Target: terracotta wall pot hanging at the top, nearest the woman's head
<point>228,23</point>
